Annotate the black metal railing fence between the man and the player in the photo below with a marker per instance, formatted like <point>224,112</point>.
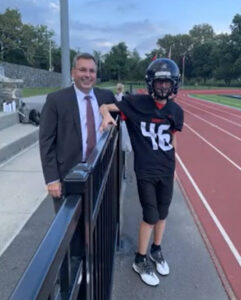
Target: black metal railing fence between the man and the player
<point>75,259</point>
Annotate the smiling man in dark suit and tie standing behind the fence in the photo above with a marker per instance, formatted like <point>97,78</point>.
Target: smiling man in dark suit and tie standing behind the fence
<point>66,137</point>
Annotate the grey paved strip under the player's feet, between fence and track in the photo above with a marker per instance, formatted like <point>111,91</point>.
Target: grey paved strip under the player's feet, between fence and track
<point>192,272</point>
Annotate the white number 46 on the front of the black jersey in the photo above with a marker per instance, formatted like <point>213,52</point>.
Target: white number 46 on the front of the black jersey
<point>158,137</point>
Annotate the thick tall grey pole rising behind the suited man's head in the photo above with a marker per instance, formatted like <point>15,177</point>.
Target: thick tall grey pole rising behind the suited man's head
<point>64,27</point>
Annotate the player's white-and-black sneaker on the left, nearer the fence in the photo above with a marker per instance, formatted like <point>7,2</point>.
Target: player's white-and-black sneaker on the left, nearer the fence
<point>146,272</point>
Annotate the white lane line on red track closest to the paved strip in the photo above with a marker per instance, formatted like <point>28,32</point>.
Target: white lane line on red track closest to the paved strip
<point>211,213</point>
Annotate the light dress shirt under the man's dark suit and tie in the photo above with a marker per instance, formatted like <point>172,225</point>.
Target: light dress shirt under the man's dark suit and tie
<point>82,113</point>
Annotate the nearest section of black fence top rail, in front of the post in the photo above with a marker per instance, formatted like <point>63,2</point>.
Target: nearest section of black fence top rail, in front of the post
<point>45,263</point>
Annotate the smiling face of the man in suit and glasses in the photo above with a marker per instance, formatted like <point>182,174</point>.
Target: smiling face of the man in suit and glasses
<point>84,74</point>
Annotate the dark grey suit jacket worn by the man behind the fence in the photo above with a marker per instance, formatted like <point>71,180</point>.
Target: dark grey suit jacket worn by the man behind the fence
<point>60,131</point>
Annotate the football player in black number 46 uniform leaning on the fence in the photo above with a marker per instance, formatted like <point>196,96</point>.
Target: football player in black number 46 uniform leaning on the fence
<point>152,121</point>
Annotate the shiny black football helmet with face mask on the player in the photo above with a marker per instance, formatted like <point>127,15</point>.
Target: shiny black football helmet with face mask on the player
<point>160,69</point>
